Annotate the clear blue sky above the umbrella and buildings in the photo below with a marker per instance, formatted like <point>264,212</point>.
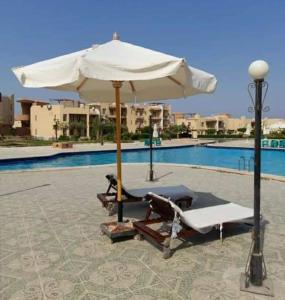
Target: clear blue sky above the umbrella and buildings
<point>221,37</point>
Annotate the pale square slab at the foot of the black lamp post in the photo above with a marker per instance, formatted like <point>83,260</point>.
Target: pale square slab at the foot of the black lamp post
<point>265,289</point>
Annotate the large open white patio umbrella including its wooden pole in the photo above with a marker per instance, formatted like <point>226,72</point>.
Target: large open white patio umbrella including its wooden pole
<point>133,72</point>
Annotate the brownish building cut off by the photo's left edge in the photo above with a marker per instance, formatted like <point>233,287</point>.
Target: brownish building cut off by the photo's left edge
<point>6,113</point>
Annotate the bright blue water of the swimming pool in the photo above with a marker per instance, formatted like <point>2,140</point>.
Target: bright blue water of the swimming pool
<point>273,161</point>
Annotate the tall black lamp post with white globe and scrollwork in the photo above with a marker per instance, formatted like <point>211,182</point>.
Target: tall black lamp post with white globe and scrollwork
<point>255,275</point>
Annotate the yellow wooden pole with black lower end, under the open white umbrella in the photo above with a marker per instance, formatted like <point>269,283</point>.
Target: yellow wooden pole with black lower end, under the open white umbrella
<point>117,85</point>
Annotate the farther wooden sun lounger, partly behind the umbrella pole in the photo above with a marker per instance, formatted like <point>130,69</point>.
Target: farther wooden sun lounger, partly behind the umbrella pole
<point>180,194</point>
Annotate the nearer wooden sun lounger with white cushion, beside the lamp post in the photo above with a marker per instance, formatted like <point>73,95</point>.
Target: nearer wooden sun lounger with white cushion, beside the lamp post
<point>184,224</point>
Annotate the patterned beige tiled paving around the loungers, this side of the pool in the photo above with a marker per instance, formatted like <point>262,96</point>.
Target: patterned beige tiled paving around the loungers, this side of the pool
<point>51,246</point>
